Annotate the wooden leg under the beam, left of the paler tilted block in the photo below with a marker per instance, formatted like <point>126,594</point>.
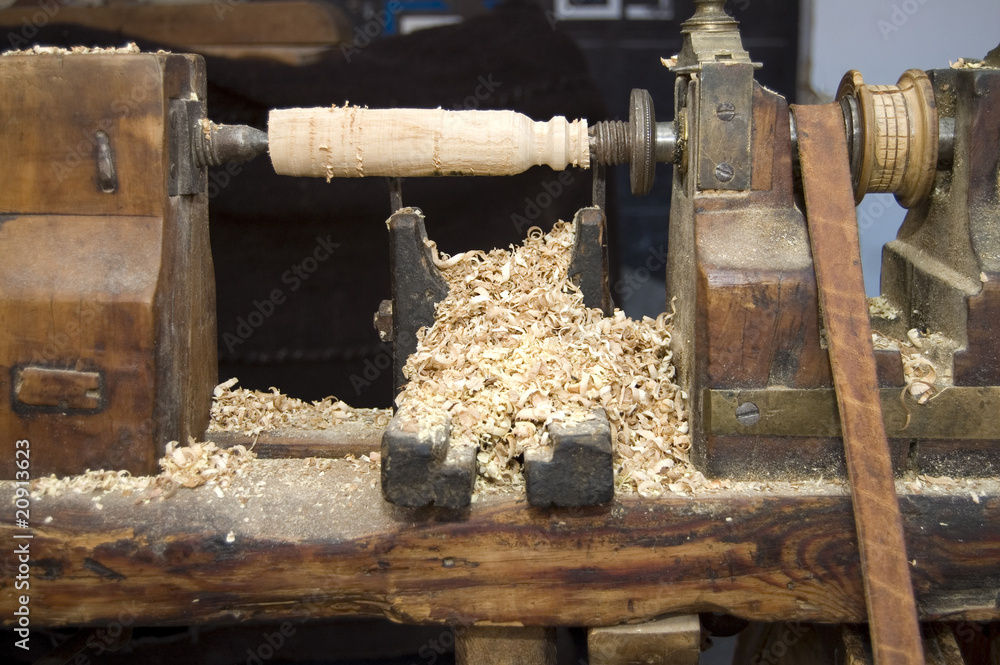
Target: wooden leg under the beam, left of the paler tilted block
<point>506,645</point>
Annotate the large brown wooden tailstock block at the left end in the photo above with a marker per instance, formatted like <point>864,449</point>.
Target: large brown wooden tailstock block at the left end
<point>107,290</point>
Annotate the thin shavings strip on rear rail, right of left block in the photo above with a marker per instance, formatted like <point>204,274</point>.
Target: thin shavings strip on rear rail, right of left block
<point>253,412</point>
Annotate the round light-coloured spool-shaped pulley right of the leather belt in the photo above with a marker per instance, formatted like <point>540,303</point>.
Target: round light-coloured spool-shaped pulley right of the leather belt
<point>894,135</point>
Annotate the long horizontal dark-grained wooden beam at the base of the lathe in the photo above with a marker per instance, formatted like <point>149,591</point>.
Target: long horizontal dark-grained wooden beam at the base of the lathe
<point>305,544</point>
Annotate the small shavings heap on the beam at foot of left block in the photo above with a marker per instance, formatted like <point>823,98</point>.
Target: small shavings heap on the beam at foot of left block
<point>192,465</point>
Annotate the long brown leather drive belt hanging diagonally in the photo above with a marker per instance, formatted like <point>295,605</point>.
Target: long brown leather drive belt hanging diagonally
<point>833,235</point>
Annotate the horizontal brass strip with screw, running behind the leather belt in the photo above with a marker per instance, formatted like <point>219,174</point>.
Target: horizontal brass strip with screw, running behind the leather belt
<point>956,413</point>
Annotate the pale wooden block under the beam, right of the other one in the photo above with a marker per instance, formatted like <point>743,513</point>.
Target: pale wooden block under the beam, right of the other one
<point>676,640</point>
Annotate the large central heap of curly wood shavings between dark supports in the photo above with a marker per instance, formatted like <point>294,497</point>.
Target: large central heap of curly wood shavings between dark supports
<point>513,348</point>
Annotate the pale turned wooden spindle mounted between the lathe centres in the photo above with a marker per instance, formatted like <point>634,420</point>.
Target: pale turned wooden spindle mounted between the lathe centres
<point>352,142</point>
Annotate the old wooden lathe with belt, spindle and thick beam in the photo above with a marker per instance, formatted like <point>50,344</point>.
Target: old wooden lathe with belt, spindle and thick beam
<point>108,354</point>
